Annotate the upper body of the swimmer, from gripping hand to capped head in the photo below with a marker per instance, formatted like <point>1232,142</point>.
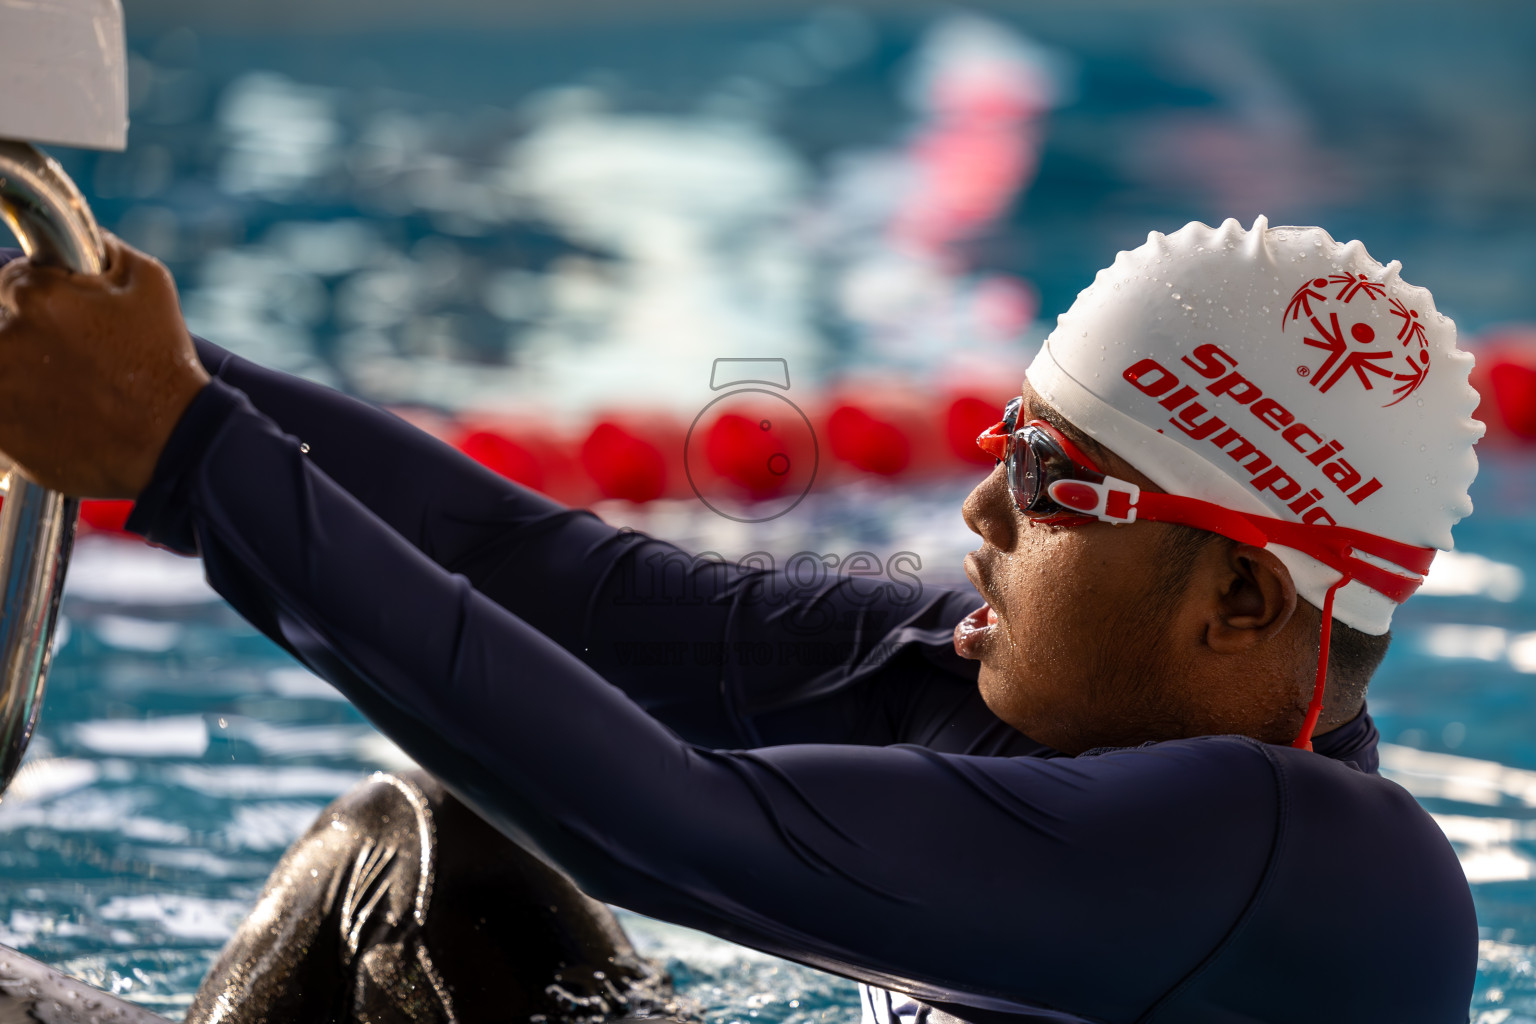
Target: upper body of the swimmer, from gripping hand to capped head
<point>1137,784</point>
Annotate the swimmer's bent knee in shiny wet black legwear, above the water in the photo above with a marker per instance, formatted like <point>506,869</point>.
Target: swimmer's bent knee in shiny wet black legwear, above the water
<point>402,907</point>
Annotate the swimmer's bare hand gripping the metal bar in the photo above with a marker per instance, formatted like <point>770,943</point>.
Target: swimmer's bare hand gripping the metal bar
<point>94,372</point>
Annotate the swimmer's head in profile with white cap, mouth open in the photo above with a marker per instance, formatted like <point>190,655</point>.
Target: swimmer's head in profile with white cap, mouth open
<point>1273,372</point>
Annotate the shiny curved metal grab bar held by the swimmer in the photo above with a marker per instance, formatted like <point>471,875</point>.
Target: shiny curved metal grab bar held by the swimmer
<point>38,527</point>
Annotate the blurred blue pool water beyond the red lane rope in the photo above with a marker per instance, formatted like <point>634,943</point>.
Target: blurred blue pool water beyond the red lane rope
<point>500,219</point>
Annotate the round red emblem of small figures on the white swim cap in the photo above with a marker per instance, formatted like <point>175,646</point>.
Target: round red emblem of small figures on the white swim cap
<point>1354,345</point>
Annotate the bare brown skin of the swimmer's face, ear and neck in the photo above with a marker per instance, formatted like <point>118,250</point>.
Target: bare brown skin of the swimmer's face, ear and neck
<point>1079,649</point>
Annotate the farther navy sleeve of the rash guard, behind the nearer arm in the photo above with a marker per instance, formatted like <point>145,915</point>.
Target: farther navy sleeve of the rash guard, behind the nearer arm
<point>724,655</point>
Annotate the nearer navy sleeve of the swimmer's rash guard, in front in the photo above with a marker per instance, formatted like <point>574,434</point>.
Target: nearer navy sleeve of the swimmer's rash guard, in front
<point>981,884</point>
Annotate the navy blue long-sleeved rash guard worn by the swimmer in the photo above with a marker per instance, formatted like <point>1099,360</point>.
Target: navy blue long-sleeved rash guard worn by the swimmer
<point>806,773</point>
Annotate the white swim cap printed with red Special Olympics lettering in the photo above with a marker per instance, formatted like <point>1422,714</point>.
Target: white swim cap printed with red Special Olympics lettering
<point>1282,374</point>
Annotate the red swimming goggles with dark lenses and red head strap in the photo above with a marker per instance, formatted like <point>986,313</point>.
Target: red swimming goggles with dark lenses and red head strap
<point>1054,483</point>
